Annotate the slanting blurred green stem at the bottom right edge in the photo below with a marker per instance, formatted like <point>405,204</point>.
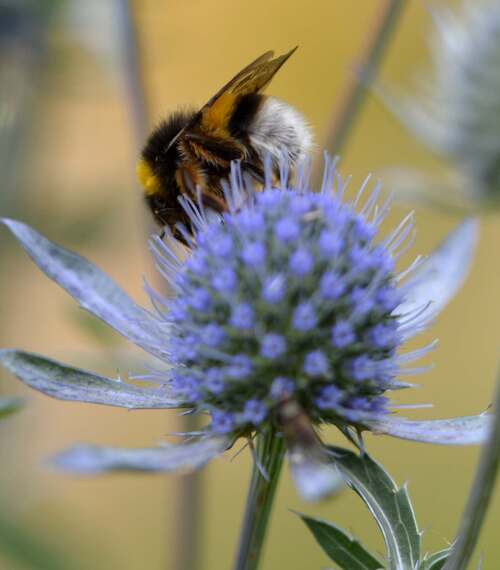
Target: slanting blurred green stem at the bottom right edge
<point>479,497</point>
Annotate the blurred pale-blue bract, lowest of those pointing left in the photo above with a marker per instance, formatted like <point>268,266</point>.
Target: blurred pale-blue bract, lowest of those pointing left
<point>94,459</point>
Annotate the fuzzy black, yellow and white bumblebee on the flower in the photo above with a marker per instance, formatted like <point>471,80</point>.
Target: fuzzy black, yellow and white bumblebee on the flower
<point>192,151</point>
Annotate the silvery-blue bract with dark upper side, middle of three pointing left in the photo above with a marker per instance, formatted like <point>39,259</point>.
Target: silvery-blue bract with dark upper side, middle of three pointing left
<point>66,383</point>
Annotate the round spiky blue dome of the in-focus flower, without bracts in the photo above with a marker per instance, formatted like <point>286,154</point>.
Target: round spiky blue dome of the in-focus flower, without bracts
<point>292,296</point>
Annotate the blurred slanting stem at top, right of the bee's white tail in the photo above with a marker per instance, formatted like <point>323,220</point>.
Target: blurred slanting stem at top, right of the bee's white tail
<point>370,62</point>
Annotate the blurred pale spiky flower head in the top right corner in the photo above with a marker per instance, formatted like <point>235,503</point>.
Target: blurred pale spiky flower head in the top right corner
<point>458,111</point>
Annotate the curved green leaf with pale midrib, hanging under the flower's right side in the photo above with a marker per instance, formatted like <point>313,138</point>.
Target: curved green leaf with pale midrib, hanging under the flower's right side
<point>390,505</point>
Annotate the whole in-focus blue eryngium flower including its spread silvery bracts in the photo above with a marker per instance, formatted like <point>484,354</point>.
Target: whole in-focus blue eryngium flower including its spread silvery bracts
<point>293,299</point>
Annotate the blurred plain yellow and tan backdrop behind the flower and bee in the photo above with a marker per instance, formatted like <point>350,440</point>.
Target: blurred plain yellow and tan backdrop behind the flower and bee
<point>76,184</point>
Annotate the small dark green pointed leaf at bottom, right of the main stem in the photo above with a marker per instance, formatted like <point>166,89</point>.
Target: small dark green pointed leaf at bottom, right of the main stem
<point>342,548</point>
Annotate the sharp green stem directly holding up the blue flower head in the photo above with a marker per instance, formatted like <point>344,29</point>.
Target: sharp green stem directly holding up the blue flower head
<point>270,453</point>
